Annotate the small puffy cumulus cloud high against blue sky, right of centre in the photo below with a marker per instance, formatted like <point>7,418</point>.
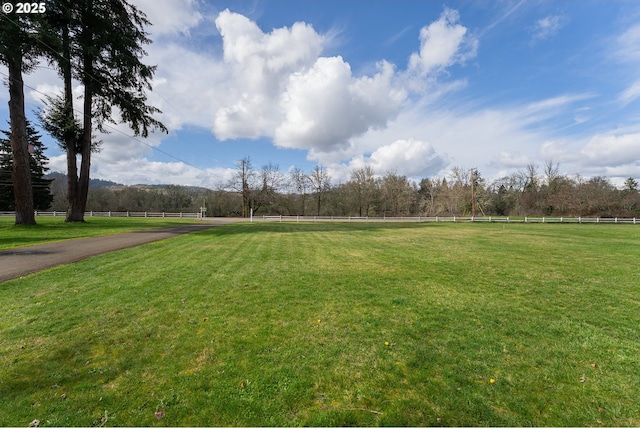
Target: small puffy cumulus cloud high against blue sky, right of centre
<point>442,44</point>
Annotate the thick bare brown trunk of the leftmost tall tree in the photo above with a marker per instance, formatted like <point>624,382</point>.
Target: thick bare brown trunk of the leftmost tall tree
<point>21,175</point>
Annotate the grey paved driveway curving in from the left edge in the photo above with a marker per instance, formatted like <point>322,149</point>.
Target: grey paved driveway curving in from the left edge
<point>22,261</point>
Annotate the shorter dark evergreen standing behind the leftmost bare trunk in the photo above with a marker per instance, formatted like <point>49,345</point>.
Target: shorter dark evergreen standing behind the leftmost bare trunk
<point>42,197</point>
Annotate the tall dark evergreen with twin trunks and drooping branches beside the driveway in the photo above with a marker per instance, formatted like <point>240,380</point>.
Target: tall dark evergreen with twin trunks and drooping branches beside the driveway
<point>99,43</point>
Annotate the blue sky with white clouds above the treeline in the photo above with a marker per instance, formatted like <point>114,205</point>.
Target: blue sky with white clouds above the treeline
<point>415,87</point>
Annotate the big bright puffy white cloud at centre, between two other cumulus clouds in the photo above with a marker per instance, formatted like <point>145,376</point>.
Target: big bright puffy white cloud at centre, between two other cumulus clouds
<point>326,106</point>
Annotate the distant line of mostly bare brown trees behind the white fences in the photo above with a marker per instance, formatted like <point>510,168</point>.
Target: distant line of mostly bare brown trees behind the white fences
<point>533,191</point>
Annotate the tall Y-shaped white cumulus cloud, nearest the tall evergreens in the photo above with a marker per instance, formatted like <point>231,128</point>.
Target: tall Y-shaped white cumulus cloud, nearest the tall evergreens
<point>260,67</point>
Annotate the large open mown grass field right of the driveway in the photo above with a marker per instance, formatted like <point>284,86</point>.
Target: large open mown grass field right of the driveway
<point>333,324</point>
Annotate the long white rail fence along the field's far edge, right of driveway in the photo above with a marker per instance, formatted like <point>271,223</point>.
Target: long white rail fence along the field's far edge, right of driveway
<point>453,219</point>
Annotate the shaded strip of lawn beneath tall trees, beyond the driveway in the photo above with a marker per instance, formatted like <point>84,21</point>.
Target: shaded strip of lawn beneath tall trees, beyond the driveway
<point>51,229</point>
